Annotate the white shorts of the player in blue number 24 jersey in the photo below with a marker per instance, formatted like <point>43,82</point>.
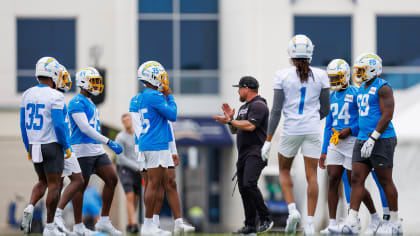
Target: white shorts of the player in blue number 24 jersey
<point>341,154</point>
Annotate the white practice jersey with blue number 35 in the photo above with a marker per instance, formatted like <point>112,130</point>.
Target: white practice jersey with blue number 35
<point>38,102</point>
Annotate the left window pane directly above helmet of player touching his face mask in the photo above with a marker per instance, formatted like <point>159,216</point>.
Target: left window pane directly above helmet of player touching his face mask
<point>155,42</point>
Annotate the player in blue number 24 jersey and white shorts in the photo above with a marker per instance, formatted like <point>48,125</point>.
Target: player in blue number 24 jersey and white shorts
<point>341,129</point>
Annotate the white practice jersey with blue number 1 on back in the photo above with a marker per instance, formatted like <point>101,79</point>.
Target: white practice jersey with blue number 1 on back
<point>301,100</point>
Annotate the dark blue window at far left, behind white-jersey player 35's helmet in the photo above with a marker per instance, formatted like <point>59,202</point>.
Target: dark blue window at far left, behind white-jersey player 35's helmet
<point>37,38</point>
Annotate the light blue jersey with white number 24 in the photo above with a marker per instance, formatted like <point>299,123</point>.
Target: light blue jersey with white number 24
<point>343,114</point>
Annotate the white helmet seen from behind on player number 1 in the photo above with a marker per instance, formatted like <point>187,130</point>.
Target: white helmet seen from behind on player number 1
<point>300,46</point>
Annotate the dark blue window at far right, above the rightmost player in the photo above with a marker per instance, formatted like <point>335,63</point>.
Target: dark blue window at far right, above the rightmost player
<point>397,40</point>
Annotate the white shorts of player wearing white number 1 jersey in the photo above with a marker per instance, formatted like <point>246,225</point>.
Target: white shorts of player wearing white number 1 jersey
<point>310,145</point>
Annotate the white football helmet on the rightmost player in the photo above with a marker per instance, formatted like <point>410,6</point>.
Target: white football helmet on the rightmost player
<point>366,67</point>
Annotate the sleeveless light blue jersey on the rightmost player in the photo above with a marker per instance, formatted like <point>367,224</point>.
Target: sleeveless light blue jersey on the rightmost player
<point>369,110</point>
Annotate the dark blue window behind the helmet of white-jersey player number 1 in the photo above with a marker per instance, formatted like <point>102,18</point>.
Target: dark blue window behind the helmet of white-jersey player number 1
<point>331,36</point>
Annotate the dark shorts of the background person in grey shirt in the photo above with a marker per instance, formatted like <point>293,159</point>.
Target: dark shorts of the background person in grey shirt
<point>130,180</point>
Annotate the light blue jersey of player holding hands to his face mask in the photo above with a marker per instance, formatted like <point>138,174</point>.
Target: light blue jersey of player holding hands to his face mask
<point>155,111</point>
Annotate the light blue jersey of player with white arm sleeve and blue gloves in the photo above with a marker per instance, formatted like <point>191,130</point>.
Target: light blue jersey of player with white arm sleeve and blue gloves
<point>80,104</point>
